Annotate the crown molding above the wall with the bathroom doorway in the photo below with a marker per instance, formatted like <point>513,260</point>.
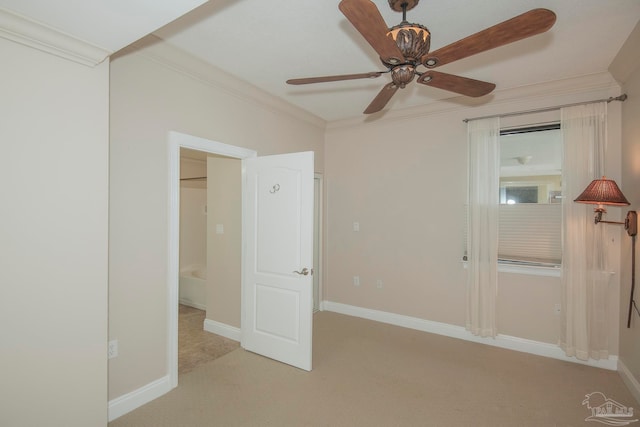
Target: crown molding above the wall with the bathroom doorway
<point>167,55</point>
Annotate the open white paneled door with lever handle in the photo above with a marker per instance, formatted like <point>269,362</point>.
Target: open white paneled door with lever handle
<point>277,285</point>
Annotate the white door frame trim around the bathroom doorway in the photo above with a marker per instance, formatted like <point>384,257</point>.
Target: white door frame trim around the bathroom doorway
<point>179,140</point>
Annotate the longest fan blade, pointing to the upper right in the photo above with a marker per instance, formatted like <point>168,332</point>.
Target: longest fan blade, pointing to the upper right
<point>528,24</point>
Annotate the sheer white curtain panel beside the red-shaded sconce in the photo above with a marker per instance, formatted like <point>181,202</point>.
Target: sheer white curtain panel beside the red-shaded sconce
<point>584,272</point>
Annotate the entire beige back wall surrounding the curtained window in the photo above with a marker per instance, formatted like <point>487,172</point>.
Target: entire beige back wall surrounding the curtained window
<point>404,180</point>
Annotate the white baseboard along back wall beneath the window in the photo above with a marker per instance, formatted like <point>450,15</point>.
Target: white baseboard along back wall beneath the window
<point>453,331</point>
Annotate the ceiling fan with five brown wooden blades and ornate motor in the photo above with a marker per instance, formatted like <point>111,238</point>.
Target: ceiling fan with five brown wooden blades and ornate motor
<point>405,47</point>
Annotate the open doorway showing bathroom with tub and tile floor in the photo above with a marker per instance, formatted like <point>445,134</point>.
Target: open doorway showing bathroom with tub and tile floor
<point>200,202</point>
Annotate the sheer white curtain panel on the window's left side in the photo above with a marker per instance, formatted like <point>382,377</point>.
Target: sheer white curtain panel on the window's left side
<point>482,241</point>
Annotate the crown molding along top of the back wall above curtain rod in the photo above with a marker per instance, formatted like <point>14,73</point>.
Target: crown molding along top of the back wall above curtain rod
<point>541,95</point>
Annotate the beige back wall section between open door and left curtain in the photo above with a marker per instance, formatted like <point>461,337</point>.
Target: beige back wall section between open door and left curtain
<point>407,194</point>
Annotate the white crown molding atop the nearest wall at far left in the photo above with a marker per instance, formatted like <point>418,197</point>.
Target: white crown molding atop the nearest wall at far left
<point>30,33</point>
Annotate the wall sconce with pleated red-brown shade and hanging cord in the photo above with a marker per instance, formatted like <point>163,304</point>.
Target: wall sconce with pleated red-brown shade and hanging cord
<point>603,192</point>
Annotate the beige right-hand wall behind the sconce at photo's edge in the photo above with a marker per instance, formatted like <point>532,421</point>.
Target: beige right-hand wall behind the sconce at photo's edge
<point>630,74</point>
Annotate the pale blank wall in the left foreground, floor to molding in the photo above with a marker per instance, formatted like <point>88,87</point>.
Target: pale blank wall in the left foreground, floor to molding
<point>53,256</point>
